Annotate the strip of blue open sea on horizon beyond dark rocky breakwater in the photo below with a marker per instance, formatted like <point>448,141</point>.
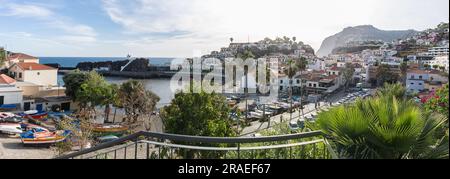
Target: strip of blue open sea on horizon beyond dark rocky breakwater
<point>73,61</point>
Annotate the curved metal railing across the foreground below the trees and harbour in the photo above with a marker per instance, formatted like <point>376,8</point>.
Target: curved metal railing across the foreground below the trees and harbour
<point>149,145</point>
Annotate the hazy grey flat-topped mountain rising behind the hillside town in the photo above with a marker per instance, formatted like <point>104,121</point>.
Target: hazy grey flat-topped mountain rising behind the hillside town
<point>361,33</point>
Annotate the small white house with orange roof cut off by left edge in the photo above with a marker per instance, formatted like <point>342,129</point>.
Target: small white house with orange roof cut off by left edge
<point>9,93</point>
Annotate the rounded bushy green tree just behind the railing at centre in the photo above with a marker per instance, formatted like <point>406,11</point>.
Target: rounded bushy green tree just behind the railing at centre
<point>198,114</point>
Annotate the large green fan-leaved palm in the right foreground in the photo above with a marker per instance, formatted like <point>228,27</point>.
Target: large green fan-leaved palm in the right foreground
<point>384,128</point>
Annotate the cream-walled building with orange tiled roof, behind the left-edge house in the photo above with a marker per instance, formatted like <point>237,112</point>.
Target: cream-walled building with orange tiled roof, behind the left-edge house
<point>35,73</point>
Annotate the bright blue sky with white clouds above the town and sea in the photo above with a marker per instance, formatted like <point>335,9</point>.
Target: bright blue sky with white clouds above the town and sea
<point>187,28</point>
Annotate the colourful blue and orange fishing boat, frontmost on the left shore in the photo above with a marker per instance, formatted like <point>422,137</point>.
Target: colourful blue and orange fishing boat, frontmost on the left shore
<point>39,136</point>
